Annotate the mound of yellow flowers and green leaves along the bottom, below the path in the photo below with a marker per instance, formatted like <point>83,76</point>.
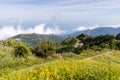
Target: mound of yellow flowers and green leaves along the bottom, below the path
<point>85,69</point>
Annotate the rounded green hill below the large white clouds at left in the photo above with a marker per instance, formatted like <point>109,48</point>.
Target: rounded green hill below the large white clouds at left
<point>33,39</point>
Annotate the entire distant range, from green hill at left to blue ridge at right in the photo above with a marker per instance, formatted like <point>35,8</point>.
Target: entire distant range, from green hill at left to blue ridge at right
<point>33,39</point>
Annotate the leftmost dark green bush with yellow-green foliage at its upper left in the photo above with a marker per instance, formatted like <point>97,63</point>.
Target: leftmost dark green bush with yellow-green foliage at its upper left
<point>20,49</point>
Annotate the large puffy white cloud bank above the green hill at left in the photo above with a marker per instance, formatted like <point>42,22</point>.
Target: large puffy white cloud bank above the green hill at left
<point>9,31</point>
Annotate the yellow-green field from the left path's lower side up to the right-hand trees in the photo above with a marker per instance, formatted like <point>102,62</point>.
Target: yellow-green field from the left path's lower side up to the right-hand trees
<point>87,66</point>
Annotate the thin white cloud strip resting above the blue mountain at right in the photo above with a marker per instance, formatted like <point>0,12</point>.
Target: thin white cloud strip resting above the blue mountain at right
<point>82,28</point>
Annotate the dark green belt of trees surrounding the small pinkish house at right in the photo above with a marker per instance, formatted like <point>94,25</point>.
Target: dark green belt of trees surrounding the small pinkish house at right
<point>95,43</point>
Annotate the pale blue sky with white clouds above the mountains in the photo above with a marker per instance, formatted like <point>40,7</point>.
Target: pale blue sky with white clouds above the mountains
<point>56,16</point>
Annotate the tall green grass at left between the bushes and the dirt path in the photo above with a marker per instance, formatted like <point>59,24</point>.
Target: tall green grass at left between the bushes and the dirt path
<point>9,63</point>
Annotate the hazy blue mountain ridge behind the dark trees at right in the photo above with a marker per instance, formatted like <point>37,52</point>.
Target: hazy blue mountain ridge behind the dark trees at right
<point>97,31</point>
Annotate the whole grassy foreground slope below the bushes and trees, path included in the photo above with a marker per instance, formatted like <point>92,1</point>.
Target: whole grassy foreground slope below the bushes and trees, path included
<point>67,66</point>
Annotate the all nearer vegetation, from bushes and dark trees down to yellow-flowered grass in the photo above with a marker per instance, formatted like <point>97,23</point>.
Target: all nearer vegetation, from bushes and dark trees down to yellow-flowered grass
<point>17,55</point>
